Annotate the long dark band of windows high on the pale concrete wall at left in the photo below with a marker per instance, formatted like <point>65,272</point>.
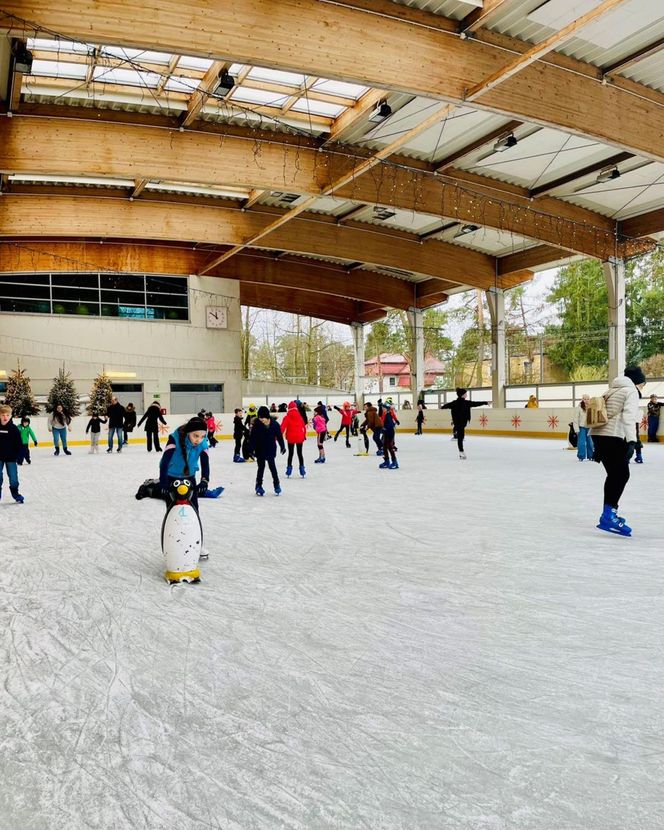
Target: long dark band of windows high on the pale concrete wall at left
<point>134,296</point>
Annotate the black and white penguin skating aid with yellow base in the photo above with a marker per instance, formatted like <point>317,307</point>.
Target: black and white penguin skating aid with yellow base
<point>181,534</point>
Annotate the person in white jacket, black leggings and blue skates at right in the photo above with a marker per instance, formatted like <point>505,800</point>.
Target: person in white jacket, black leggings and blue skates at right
<point>613,442</point>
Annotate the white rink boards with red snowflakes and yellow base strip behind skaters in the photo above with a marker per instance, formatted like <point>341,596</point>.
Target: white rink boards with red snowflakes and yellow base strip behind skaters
<point>525,423</point>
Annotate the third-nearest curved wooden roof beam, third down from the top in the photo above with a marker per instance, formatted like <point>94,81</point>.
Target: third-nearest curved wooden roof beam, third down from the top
<point>67,216</point>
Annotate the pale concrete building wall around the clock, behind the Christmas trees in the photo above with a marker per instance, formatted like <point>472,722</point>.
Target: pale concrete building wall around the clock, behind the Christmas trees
<point>160,352</point>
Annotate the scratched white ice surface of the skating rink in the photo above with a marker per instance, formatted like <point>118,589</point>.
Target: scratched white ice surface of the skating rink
<point>450,645</point>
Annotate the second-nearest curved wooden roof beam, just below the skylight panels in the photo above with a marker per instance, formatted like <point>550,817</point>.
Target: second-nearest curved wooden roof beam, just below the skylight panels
<point>74,147</point>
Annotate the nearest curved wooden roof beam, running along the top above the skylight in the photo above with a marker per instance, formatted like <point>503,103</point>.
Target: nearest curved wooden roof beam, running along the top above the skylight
<point>325,40</point>
